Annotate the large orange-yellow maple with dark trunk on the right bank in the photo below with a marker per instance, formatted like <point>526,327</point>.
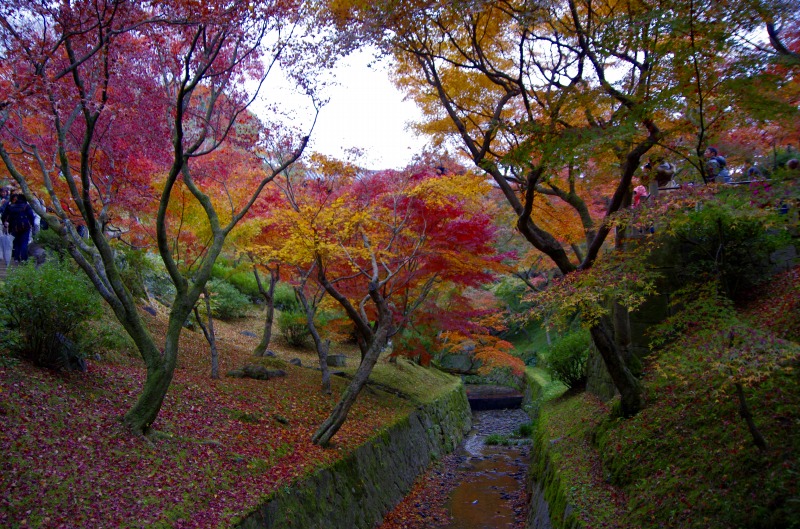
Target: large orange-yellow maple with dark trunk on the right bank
<point>560,103</point>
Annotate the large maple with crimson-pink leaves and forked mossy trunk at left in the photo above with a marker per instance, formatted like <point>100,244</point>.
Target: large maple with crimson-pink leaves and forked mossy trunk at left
<point>115,110</point>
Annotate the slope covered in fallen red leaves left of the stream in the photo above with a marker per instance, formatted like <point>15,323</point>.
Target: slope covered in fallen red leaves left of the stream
<point>221,446</point>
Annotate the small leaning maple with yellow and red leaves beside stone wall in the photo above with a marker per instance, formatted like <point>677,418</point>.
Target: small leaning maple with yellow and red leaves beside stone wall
<point>381,244</point>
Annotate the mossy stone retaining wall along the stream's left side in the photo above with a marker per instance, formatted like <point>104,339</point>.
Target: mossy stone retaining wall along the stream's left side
<point>358,490</point>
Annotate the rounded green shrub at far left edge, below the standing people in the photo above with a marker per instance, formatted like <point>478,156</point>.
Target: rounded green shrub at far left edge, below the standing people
<point>42,309</point>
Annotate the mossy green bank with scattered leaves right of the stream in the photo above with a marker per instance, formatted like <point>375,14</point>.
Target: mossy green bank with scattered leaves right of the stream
<point>688,459</point>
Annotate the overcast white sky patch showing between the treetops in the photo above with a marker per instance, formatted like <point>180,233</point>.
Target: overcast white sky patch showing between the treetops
<point>364,111</point>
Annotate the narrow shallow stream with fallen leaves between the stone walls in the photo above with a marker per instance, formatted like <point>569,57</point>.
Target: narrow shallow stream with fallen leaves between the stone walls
<point>478,487</point>
